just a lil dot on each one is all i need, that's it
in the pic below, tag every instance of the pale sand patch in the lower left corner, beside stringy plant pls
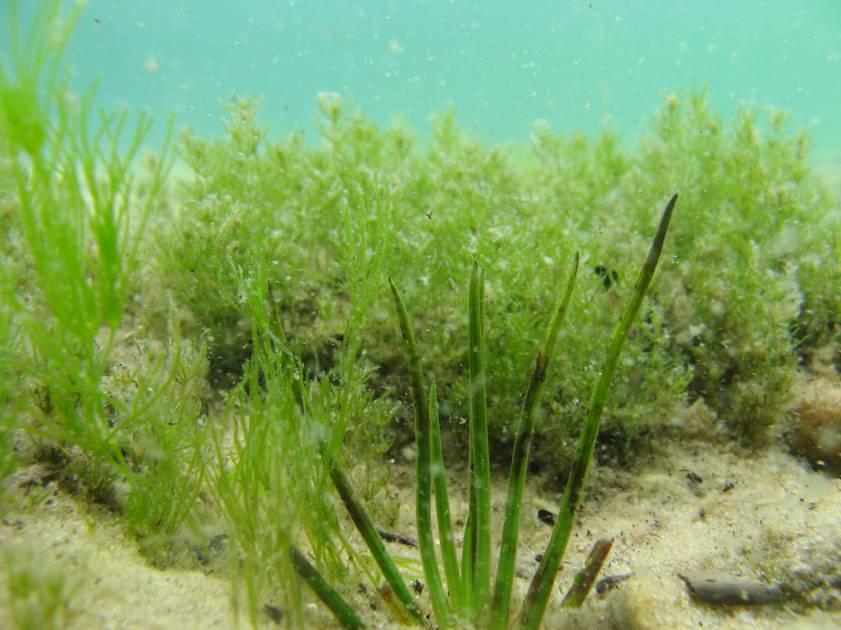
(110, 583)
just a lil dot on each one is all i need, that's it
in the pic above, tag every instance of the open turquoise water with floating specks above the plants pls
(576, 64)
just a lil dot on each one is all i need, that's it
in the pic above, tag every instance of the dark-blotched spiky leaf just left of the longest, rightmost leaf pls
(519, 461)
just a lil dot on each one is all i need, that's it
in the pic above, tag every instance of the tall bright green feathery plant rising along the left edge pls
(82, 219)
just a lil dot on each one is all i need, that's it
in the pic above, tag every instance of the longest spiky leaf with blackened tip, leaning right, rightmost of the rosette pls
(541, 585)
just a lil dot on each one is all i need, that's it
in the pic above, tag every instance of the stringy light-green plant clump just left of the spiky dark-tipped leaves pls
(265, 477)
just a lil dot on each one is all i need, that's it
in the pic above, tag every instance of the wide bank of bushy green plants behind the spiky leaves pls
(730, 331)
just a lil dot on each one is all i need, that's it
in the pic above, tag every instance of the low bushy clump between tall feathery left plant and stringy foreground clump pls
(164, 387)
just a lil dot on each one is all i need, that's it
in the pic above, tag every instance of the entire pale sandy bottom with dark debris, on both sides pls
(689, 506)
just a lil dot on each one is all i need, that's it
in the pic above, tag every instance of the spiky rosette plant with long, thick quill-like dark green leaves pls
(468, 596)
